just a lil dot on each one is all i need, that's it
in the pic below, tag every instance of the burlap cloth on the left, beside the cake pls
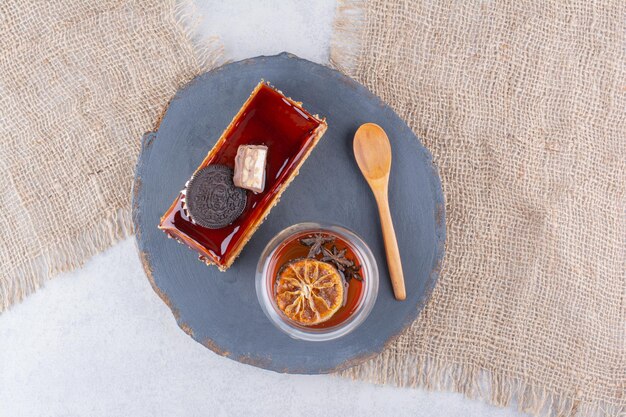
(80, 82)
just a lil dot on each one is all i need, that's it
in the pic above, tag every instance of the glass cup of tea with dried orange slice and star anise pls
(316, 282)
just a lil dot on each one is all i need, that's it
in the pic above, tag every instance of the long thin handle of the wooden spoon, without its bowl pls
(391, 246)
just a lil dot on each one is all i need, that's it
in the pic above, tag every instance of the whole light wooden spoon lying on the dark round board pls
(373, 155)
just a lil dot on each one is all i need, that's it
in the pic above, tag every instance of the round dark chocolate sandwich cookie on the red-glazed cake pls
(212, 199)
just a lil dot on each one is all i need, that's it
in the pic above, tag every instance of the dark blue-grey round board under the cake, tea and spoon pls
(220, 309)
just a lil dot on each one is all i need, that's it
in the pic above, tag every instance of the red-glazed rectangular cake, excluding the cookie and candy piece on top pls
(268, 119)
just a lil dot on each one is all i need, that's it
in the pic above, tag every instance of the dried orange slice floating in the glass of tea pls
(309, 291)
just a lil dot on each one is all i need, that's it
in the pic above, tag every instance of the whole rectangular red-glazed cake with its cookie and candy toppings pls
(213, 215)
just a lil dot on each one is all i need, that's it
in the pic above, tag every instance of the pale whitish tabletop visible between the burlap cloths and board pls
(99, 342)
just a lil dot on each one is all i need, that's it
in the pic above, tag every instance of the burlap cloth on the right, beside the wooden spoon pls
(523, 105)
